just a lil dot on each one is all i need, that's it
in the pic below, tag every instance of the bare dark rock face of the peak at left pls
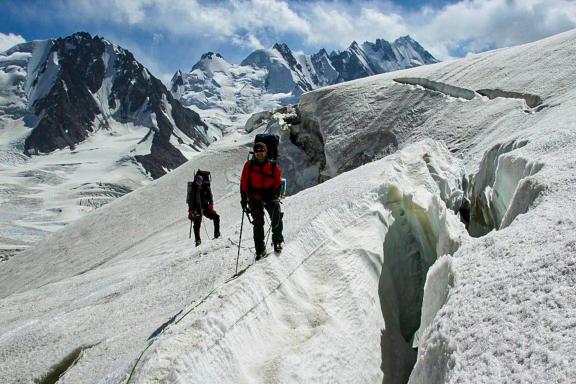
(68, 113)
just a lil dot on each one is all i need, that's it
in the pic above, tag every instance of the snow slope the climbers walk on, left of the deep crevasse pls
(96, 272)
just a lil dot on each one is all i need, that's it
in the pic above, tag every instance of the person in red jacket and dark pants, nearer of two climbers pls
(260, 189)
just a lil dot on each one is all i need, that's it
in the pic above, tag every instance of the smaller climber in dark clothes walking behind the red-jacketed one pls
(201, 203)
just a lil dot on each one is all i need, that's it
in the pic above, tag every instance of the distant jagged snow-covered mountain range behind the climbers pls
(270, 78)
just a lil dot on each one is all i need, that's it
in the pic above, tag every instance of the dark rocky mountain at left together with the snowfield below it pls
(82, 122)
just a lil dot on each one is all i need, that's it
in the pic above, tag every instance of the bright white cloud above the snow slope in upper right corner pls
(477, 25)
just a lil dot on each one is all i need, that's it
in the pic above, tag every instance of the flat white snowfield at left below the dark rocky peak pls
(68, 184)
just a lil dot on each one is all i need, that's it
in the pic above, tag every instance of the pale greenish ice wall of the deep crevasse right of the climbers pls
(424, 228)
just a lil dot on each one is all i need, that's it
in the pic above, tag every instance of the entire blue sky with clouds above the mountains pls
(166, 35)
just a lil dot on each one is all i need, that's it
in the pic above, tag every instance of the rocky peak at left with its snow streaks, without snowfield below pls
(72, 87)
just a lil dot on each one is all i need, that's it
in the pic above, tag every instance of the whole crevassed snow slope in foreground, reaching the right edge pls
(376, 258)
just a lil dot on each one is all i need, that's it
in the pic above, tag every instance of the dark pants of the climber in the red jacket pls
(257, 209)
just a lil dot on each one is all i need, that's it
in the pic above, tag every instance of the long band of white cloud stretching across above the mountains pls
(458, 28)
